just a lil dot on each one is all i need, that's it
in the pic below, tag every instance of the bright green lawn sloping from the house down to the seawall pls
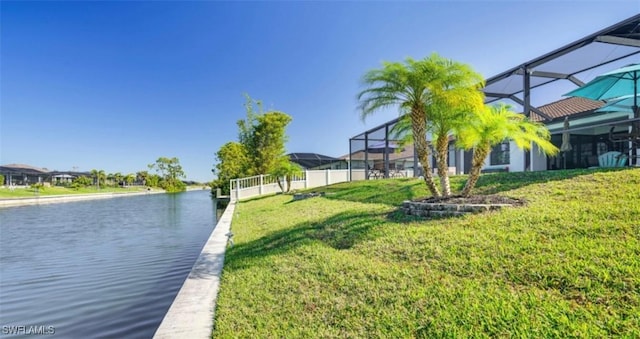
(350, 265)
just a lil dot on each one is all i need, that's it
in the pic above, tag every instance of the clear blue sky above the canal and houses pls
(115, 85)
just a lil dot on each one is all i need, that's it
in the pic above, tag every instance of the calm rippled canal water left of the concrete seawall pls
(99, 268)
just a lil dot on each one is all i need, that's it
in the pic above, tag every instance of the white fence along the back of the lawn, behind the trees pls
(267, 184)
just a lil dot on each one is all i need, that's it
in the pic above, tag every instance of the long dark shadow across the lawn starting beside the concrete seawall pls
(340, 231)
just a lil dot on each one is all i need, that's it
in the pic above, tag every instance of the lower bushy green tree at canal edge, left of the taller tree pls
(232, 163)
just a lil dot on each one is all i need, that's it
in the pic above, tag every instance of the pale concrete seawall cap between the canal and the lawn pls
(191, 313)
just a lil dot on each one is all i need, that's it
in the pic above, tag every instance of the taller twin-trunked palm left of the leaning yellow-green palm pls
(429, 93)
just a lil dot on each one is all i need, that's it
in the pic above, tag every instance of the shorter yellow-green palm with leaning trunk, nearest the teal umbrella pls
(493, 125)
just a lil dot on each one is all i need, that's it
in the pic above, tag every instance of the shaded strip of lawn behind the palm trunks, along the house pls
(394, 191)
